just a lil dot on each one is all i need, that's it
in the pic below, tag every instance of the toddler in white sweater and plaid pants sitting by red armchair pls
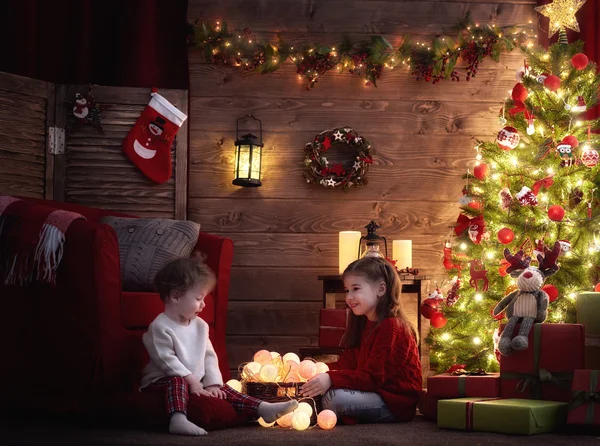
(183, 362)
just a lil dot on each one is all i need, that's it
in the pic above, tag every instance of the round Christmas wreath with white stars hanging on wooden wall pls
(318, 169)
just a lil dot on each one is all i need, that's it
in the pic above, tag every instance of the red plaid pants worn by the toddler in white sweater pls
(177, 396)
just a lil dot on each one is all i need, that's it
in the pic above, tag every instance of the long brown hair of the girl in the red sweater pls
(375, 270)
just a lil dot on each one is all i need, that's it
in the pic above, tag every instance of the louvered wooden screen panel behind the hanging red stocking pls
(95, 171)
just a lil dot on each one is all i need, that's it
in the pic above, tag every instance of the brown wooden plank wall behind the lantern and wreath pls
(285, 232)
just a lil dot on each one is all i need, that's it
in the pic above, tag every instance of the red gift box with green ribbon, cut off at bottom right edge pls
(585, 406)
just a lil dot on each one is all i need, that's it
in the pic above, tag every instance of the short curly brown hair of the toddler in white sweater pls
(182, 274)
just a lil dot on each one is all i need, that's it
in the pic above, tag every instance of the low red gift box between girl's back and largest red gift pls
(448, 386)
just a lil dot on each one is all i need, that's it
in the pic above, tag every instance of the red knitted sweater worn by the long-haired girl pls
(387, 362)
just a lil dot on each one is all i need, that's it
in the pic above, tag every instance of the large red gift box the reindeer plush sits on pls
(545, 369)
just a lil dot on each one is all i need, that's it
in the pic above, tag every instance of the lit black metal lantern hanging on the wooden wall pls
(248, 157)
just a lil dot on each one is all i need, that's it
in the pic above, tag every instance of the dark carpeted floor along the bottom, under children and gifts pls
(419, 432)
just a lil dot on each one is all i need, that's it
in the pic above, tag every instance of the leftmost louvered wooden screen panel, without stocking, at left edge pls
(23, 108)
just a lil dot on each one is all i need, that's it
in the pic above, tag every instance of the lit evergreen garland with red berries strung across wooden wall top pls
(367, 58)
